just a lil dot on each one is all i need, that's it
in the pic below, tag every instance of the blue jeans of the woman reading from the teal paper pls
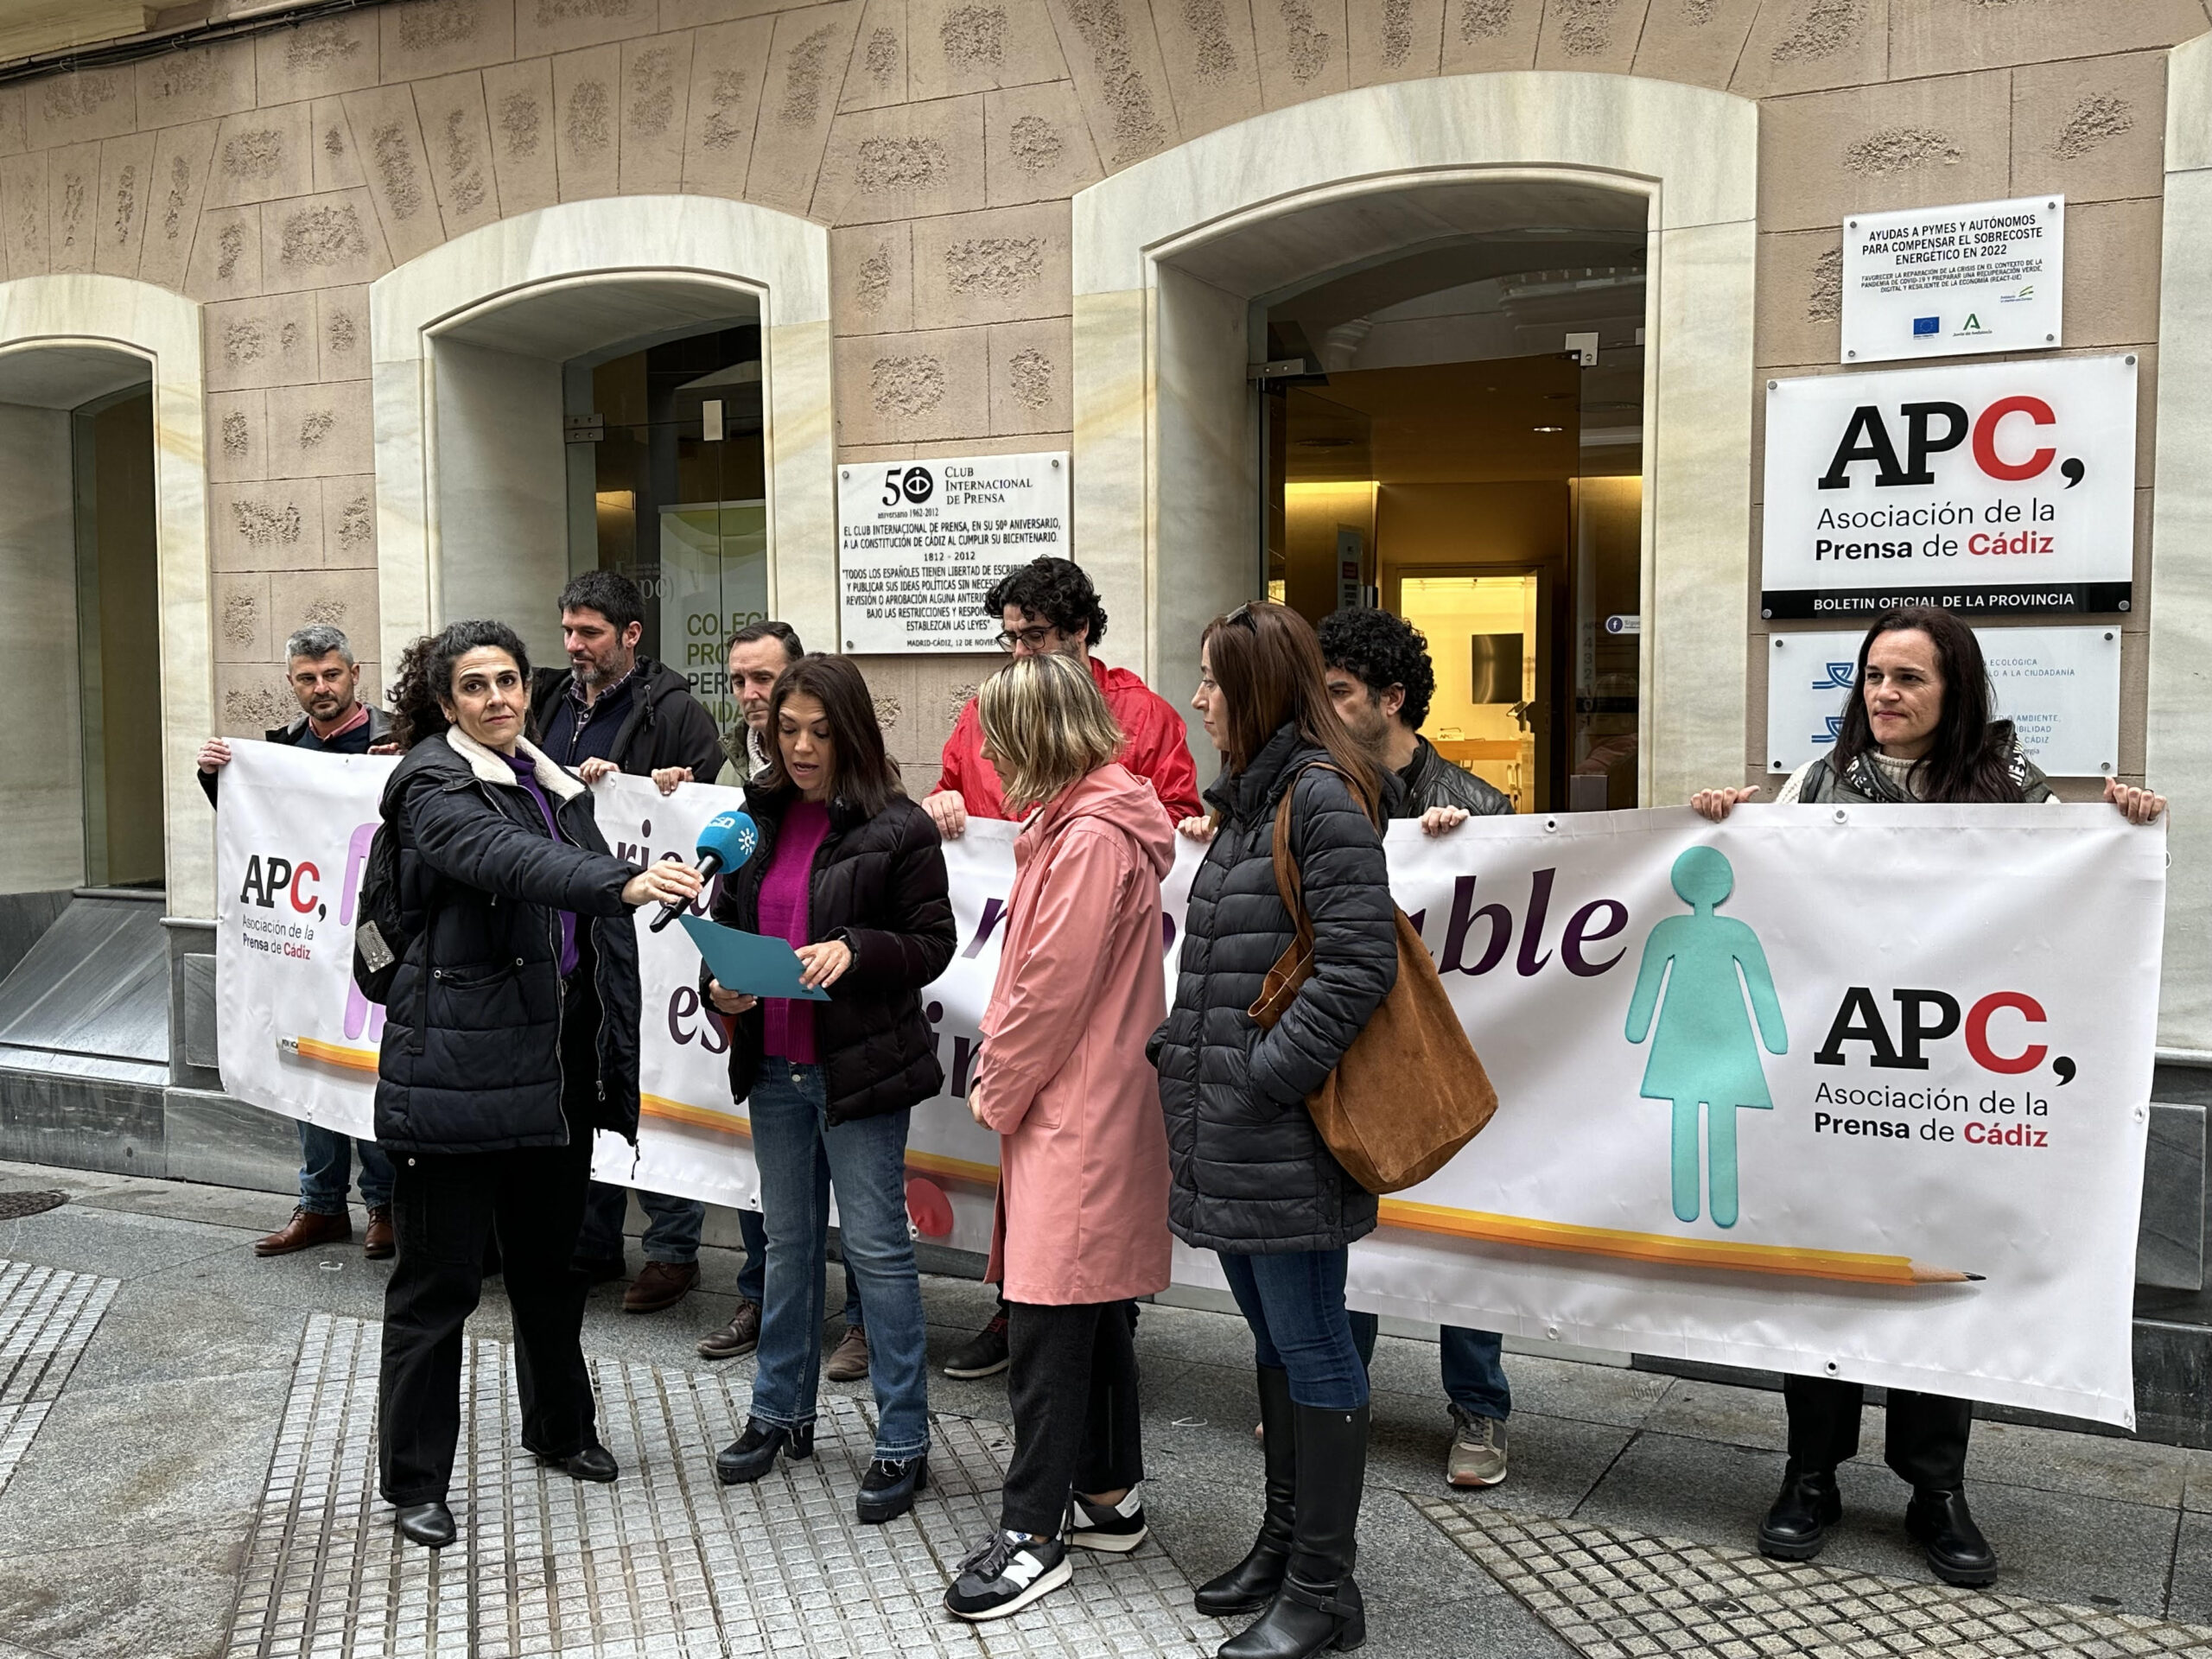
(802, 1160)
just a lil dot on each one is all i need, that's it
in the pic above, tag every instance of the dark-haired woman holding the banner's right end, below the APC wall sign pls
(1917, 727)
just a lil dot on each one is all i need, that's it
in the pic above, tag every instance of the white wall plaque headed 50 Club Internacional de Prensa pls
(921, 543)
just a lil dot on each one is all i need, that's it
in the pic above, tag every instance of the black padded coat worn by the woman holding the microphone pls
(472, 1056)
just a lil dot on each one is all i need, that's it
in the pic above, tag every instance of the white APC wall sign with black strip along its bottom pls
(1994, 488)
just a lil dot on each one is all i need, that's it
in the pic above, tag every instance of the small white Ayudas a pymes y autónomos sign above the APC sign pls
(1945, 282)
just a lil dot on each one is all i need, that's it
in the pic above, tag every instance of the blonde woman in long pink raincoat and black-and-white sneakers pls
(1083, 1209)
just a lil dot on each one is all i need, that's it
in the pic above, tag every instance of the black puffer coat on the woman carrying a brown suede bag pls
(1251, 1173)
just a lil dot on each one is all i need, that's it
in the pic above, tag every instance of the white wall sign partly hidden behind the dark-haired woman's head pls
(2060, 689)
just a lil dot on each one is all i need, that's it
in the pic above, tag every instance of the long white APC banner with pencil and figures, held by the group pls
(1850, 1092)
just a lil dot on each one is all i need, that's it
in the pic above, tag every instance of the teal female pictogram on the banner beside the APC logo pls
(1704, 1052)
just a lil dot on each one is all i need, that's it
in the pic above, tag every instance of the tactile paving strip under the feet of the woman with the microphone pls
(662, 1563)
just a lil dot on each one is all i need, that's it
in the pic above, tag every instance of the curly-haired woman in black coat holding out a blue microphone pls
(510, 1039)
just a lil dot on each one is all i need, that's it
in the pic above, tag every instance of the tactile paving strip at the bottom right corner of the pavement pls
(1618, 1596)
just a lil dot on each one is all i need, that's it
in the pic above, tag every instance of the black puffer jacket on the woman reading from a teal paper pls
(879, 886)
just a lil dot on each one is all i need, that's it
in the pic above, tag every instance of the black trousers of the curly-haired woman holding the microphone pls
(444, 1213)
